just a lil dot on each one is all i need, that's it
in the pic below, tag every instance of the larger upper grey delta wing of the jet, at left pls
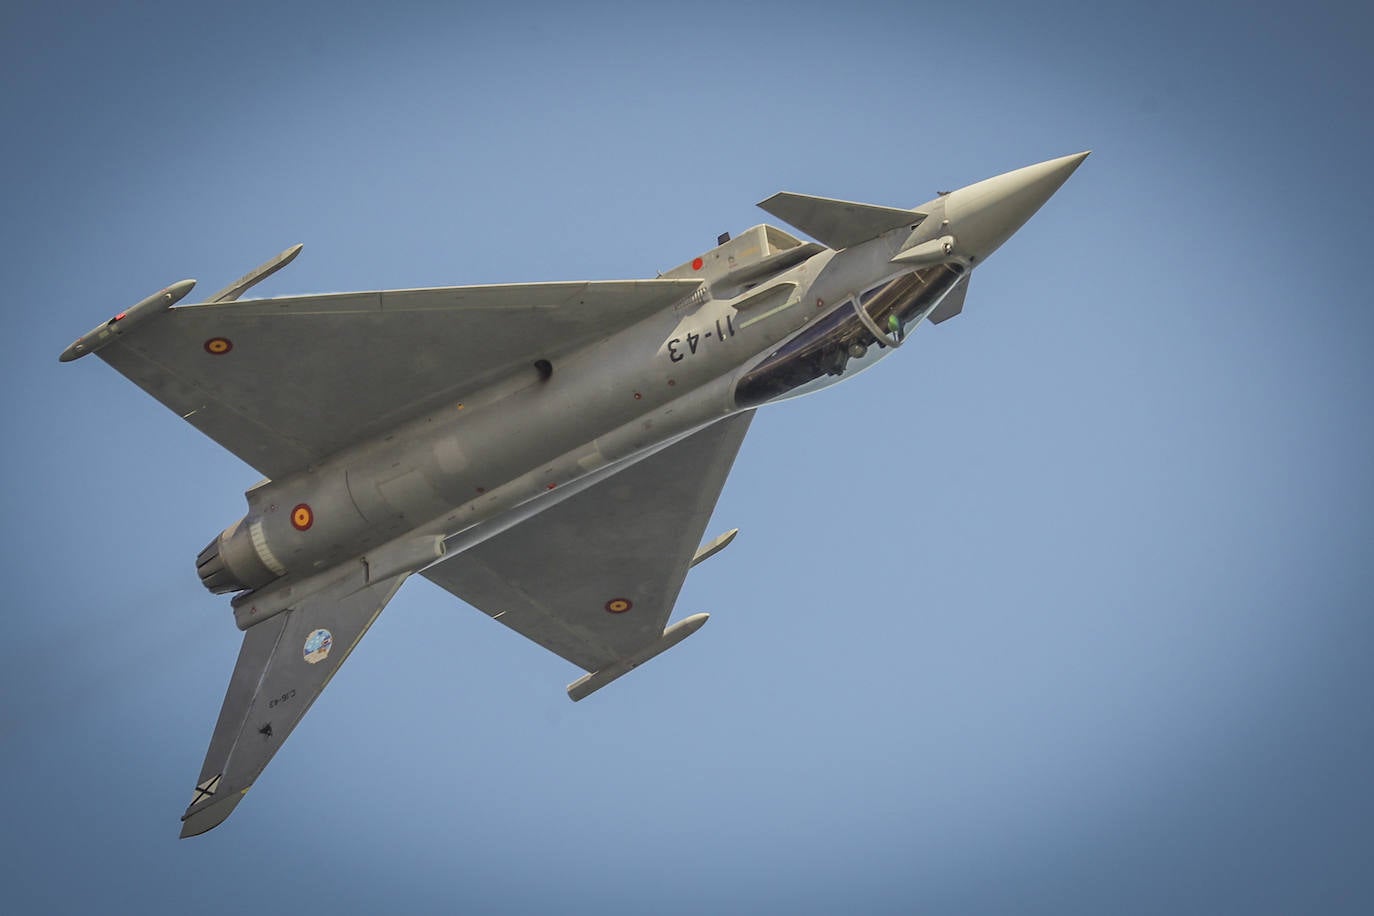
(284, 384)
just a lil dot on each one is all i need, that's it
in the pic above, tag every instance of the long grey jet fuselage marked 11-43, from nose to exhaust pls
(530, 440)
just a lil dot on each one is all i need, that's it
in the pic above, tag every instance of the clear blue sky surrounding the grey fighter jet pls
(1064, 610)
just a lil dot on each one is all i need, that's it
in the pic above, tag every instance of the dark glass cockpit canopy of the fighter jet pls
(846, 343)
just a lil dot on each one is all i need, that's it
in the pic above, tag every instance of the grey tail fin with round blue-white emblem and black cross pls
(285, 664)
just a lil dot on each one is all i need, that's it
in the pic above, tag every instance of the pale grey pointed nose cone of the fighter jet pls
(986, 215)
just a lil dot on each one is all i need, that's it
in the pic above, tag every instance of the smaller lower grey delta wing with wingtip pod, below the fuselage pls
(596, 577)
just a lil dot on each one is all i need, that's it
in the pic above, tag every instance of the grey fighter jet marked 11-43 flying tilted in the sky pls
(548, 453)
